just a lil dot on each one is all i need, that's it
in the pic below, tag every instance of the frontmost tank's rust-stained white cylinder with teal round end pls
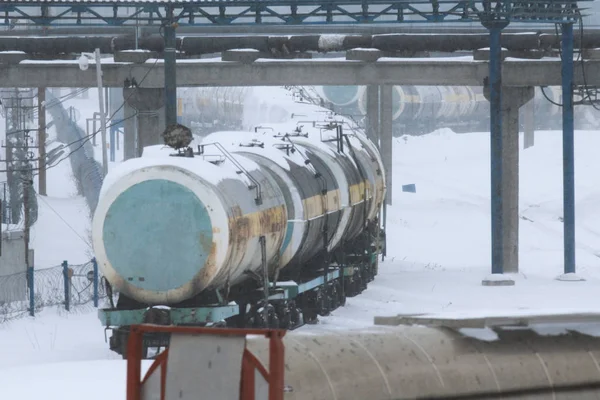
(168, 227)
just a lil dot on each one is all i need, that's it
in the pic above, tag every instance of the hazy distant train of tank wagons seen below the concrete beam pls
(416, 110)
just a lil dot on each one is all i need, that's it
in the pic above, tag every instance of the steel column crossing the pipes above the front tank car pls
(170, 71)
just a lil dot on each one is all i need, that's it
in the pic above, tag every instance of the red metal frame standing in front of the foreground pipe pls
(250, 363)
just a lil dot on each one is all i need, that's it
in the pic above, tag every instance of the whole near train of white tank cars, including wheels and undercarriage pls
(267, 228)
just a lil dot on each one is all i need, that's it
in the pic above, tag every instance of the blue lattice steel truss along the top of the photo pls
(279, 12)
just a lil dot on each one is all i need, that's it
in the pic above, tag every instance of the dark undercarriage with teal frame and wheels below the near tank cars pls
(334, 276)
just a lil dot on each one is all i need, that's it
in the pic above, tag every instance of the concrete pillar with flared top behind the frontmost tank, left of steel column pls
(147, 102)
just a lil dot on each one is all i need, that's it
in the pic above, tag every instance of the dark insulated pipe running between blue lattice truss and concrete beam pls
(282, 45)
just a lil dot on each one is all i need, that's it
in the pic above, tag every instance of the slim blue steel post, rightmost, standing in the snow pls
(568, 149)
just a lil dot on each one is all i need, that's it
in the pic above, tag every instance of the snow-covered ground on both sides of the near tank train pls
(438, 253)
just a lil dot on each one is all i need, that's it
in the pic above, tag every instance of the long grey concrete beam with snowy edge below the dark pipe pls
(459, 72)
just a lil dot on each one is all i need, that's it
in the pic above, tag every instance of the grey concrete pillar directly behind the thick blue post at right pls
(512, 99)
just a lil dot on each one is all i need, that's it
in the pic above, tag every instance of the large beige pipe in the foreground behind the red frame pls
(418, 362)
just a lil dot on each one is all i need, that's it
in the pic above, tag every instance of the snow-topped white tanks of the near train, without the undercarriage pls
(167, 228)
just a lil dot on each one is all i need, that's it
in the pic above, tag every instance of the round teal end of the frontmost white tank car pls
(157, 235)
